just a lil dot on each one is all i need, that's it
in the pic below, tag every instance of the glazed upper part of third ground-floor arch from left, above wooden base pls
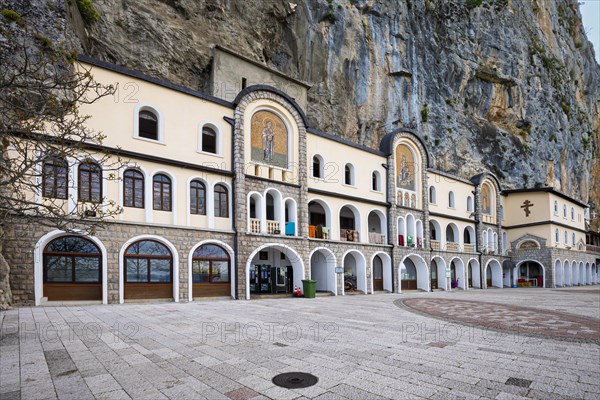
(210, 264)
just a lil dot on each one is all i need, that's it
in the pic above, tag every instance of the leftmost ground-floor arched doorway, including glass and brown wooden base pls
(72, 269)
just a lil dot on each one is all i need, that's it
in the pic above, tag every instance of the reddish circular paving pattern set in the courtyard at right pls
(501, 317)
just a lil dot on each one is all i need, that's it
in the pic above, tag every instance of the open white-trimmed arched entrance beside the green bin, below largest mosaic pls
(273, 269)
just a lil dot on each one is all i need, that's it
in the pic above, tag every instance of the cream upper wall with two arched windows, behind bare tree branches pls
(181, 117)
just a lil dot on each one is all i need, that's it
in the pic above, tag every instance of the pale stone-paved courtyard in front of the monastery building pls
(359, 347)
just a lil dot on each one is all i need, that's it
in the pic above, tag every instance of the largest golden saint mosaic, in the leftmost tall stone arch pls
(269, 139)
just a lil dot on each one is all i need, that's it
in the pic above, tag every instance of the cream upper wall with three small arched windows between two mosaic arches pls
(335, 156)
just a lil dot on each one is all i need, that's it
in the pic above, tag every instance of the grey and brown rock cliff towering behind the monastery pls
(507, 85)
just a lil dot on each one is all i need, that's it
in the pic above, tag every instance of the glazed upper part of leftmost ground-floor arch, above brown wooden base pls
(72, 259)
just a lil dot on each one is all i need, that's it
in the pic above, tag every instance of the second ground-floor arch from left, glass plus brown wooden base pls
(148, 271)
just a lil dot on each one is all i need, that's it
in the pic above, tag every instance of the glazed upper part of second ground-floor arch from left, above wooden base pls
(148, 261)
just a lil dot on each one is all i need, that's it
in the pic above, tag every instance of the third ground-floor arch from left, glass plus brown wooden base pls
(211, 271)
